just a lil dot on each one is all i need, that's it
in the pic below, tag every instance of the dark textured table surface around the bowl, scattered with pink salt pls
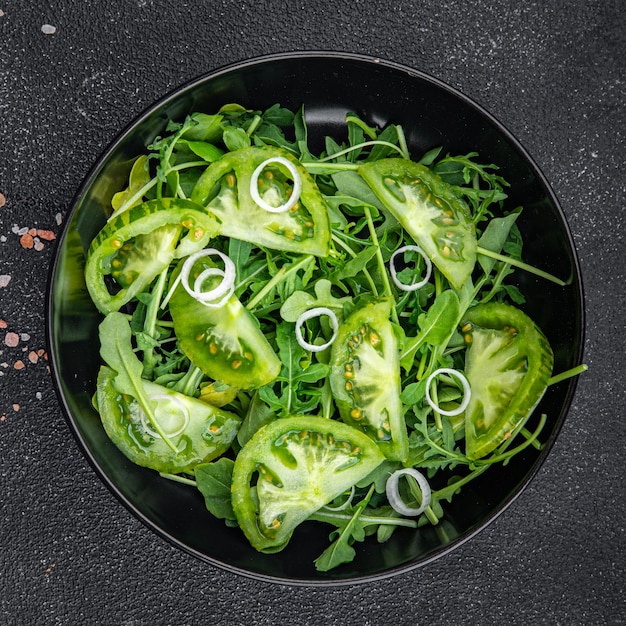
(74, 72)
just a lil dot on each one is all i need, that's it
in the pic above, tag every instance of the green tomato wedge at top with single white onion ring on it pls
(224, 188)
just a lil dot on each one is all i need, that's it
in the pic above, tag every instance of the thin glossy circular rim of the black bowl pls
(267, 59)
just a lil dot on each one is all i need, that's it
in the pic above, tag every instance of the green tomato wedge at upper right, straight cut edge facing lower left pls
(430, 211)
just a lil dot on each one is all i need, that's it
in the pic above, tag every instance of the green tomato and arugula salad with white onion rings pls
(314, 338)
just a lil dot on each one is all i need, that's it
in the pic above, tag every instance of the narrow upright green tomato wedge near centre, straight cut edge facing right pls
(365, 378)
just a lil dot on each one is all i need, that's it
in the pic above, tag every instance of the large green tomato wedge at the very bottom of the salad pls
(292, 467)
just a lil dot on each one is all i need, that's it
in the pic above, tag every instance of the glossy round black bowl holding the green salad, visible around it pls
(329, 85)
